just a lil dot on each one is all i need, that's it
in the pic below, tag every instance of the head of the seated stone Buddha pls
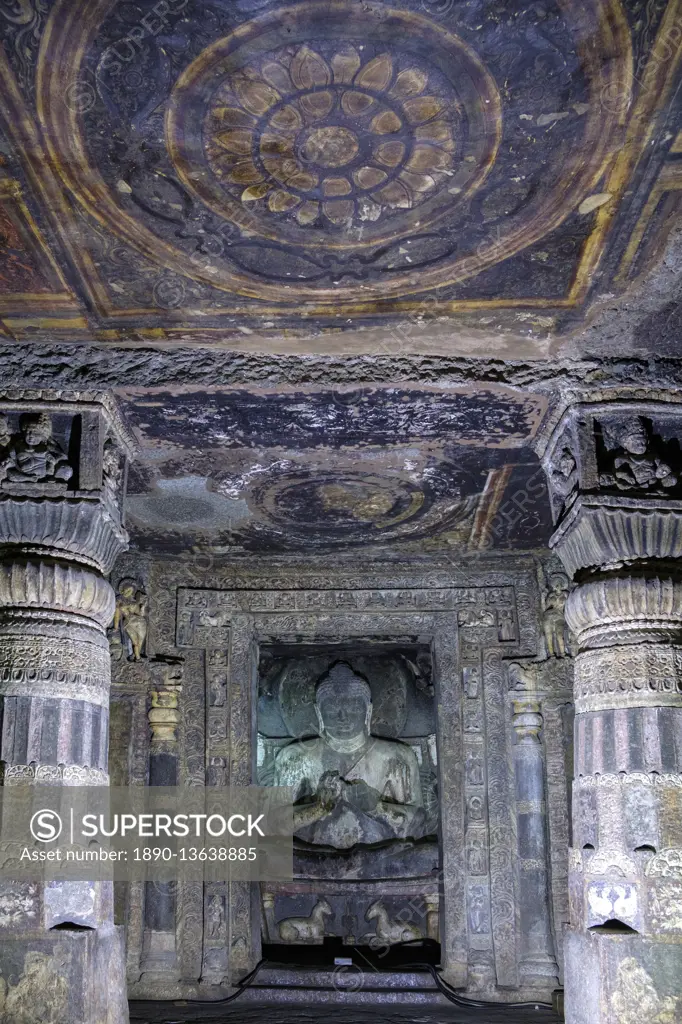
(344, 705)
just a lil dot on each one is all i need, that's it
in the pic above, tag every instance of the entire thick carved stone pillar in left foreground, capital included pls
(63, 467)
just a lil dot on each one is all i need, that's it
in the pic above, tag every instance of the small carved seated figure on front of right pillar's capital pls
(632, 458)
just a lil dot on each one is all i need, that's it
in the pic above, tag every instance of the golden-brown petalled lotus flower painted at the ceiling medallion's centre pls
(342, 142)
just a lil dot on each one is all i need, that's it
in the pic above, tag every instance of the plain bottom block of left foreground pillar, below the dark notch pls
(67, 976)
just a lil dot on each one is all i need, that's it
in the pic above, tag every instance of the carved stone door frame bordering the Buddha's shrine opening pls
(472, 628)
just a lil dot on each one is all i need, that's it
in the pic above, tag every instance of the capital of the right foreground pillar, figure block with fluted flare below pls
(615, 476)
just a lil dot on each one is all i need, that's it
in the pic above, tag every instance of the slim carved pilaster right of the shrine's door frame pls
(538, 964)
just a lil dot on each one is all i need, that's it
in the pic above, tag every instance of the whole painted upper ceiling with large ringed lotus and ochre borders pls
(191, 172)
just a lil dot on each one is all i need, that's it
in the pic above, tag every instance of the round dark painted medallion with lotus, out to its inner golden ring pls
(330, 137)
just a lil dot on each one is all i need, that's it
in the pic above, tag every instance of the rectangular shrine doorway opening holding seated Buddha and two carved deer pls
(367, 860)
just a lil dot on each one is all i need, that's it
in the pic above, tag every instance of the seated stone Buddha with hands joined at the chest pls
(350, 787)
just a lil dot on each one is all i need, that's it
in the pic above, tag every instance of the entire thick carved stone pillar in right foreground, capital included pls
(614, 472)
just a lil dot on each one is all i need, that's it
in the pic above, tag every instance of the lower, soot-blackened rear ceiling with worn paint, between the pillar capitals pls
(409, 470)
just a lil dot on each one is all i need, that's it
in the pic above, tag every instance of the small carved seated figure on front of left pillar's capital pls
(32, 455)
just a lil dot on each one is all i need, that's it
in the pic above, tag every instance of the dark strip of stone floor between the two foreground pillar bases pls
(236, 1014)
